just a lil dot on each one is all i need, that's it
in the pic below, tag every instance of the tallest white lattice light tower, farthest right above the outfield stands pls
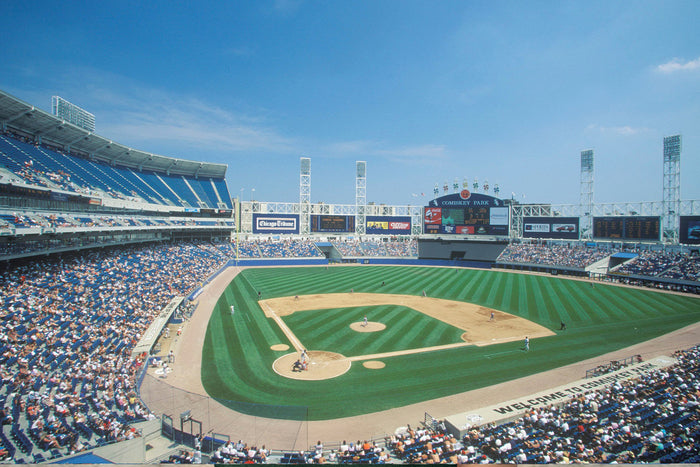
(672, 188)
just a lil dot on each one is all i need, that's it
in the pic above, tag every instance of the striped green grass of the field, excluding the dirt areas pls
(237, 359)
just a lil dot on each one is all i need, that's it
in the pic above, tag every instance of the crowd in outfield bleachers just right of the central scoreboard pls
(572, 256)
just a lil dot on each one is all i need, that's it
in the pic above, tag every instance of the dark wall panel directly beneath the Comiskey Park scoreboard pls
(460, 250)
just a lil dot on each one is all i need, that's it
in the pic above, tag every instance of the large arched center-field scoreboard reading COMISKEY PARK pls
(466, 213)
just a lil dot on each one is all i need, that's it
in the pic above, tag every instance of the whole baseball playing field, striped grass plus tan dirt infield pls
(428, 333)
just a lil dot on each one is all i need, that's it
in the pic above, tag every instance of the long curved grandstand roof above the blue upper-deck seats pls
(18, 115)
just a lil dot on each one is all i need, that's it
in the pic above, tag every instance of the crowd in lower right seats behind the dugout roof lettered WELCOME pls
(652, 419)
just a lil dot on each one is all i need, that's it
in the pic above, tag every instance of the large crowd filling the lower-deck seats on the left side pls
(67, 327)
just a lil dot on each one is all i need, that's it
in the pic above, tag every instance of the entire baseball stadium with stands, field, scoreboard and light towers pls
(147, 316)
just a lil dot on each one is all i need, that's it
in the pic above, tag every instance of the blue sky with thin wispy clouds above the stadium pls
(424, 91)
